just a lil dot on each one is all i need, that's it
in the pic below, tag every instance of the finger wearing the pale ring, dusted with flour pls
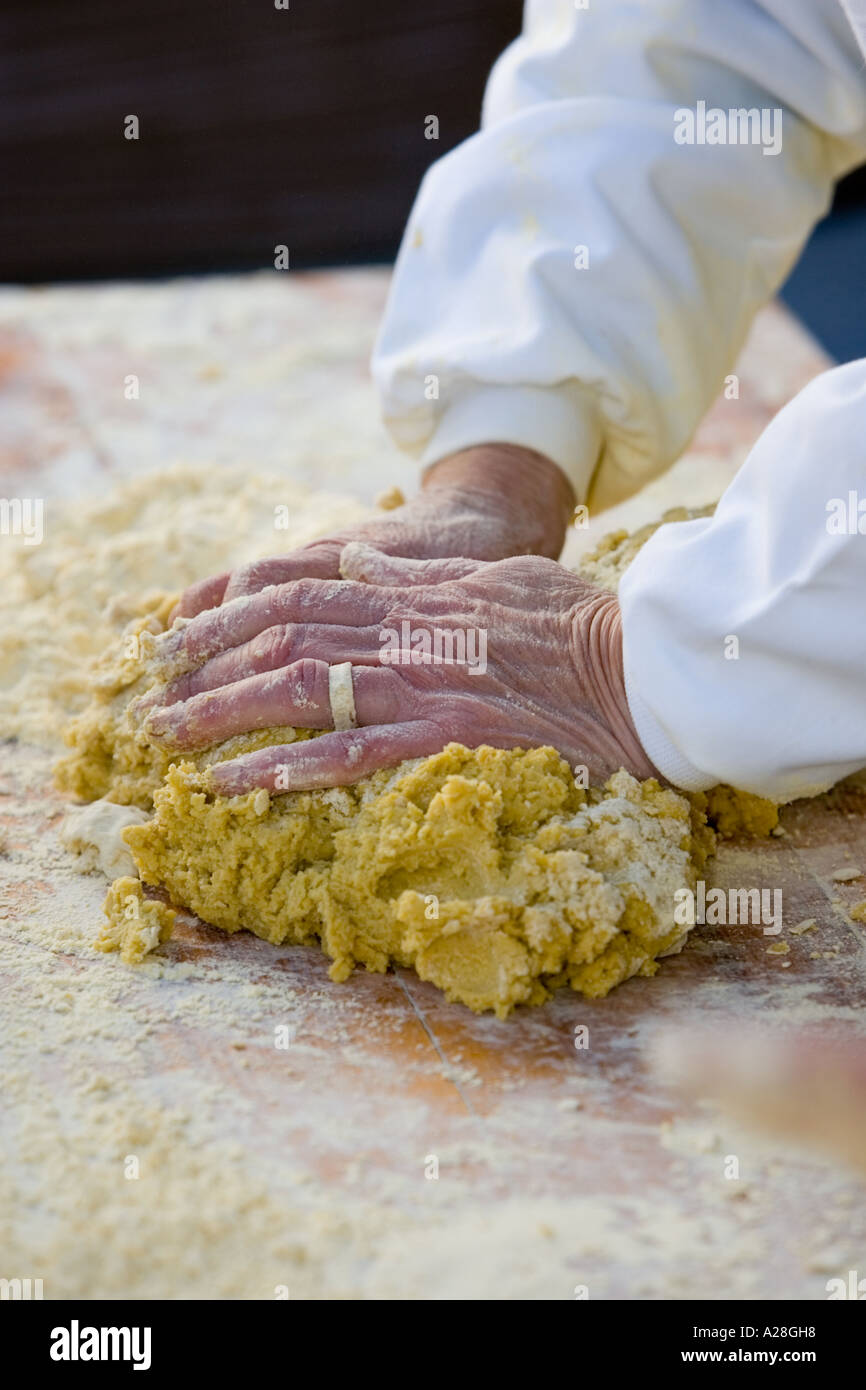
(295, 696)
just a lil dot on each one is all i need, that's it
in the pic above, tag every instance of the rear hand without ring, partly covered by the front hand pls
(487, 502)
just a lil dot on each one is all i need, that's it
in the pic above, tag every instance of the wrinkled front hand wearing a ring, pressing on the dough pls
(553, 672)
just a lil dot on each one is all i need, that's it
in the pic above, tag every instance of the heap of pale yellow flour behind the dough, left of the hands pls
(105, 562)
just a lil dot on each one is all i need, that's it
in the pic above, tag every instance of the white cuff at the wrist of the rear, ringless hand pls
(562, 425)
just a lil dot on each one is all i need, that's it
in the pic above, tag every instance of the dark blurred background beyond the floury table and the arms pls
(263, 127)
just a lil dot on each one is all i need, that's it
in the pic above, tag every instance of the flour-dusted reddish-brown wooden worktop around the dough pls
(313, 1167)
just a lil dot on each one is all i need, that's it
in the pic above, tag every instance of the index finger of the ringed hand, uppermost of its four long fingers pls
(334, 603)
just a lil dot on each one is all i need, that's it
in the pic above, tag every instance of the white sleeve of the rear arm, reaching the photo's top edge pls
(501, 329)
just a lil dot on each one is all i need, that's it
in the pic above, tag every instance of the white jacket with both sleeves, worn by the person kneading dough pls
(579, 279)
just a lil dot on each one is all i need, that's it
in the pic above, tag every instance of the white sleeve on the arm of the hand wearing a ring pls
(744, 635)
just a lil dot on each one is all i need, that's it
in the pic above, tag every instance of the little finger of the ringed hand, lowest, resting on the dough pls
(332, 761)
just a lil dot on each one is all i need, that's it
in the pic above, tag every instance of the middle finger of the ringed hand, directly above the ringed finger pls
(270, 651)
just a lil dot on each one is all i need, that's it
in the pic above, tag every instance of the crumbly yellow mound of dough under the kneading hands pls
(491, 874)
